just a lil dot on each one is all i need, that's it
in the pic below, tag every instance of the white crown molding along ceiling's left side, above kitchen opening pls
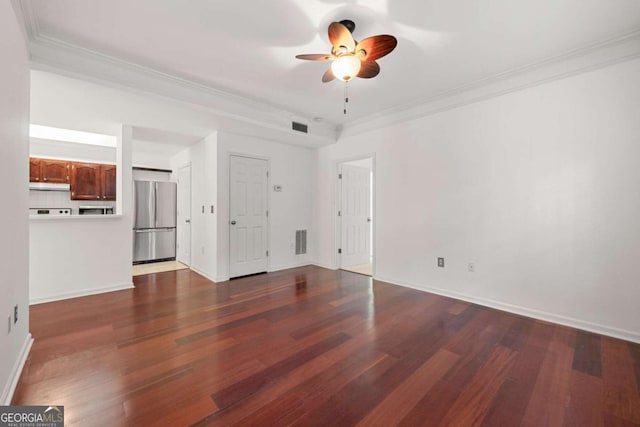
(232, 111)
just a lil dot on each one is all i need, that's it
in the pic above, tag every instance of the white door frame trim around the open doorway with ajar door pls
(338, 207)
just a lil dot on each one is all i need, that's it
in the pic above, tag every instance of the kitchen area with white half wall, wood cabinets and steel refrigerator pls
(95, 220)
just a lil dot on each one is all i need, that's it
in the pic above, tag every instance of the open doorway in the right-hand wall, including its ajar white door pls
(356, 215)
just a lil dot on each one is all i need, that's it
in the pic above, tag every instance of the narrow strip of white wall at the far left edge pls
(14, 152)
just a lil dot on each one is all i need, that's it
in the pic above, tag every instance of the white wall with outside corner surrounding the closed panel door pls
(290, 210)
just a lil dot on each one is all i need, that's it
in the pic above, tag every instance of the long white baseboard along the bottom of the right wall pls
(524, 311)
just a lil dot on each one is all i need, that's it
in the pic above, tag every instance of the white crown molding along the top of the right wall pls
(598, 55)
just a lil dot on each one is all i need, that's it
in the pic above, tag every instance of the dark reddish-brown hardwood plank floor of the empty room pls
(310, 346)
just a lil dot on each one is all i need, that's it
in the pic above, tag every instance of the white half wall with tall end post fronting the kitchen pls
(85, 255)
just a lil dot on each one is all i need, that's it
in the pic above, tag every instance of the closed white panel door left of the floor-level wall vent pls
(248, 216)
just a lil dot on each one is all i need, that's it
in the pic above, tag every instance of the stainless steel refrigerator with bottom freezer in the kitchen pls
(154, 226)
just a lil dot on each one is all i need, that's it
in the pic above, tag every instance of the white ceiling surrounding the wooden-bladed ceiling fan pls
(249, 48)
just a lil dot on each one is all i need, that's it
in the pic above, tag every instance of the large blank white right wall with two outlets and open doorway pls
(539, 188)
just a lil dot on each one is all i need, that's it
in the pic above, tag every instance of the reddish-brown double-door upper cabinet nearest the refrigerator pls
(90, 181)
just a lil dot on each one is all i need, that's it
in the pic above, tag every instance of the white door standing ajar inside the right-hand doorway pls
(355, 215)
